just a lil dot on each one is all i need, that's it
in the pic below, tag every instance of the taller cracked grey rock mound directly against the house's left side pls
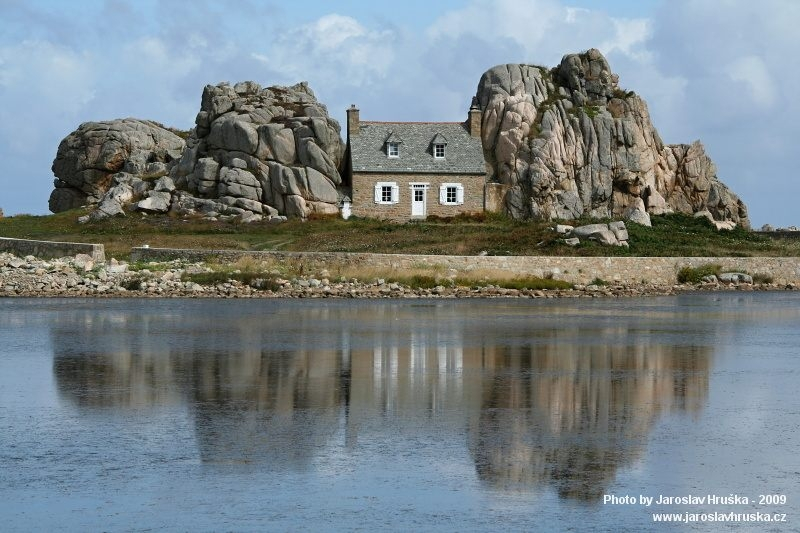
(264, 150)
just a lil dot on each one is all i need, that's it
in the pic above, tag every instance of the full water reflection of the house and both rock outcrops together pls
(536, 408)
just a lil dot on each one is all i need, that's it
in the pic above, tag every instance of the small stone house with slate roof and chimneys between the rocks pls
(412, 170)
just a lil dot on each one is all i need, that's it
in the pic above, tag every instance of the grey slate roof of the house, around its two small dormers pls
(463, 155)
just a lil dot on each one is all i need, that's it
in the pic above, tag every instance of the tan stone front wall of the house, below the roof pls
(364, 195)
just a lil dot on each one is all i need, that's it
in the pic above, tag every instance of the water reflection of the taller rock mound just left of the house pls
(267, 408)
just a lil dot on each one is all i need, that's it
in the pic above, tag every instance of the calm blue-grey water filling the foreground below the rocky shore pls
(474, 415)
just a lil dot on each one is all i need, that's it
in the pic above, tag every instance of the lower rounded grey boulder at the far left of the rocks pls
(90, 156)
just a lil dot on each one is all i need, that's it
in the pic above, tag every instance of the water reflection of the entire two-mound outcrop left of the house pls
(250, 404)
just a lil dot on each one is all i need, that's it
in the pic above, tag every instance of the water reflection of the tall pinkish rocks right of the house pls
(570, 415)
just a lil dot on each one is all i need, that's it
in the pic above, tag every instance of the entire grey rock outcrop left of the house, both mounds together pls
(254, 153)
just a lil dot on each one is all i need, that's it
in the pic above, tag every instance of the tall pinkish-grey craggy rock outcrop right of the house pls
(569, 142)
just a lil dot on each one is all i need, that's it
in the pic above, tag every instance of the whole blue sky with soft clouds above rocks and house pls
(726, 72)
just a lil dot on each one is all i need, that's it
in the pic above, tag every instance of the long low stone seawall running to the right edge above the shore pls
(583, 270)
